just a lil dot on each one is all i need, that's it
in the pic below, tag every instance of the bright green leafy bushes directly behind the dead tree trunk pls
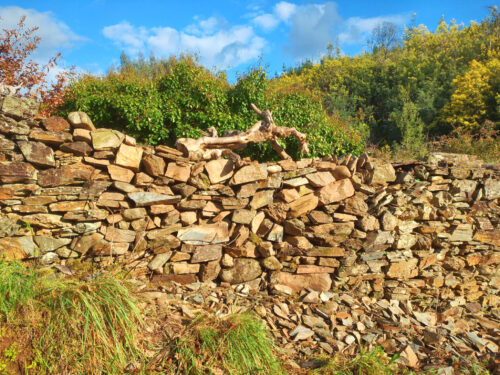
(159, 101)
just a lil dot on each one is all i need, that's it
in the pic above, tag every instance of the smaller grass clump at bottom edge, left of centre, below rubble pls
(237, 345)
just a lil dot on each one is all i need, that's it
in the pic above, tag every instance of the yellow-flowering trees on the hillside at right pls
(427, 84)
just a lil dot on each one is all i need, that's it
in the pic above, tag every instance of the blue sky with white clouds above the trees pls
(230, 35)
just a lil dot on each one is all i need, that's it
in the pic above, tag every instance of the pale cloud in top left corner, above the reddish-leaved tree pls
(55, 35)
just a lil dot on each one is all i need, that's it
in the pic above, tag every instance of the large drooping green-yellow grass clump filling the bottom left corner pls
(88, 326)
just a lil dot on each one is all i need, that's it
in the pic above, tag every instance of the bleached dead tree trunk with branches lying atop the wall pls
(213, 146)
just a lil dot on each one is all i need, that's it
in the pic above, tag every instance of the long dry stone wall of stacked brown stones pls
(70, 191)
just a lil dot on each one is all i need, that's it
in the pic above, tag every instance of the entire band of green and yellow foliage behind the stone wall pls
(412, 86)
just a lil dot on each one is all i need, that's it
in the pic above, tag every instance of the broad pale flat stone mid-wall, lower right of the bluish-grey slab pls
(204, 234)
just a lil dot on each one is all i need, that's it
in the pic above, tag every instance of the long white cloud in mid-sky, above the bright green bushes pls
(217, 44)
